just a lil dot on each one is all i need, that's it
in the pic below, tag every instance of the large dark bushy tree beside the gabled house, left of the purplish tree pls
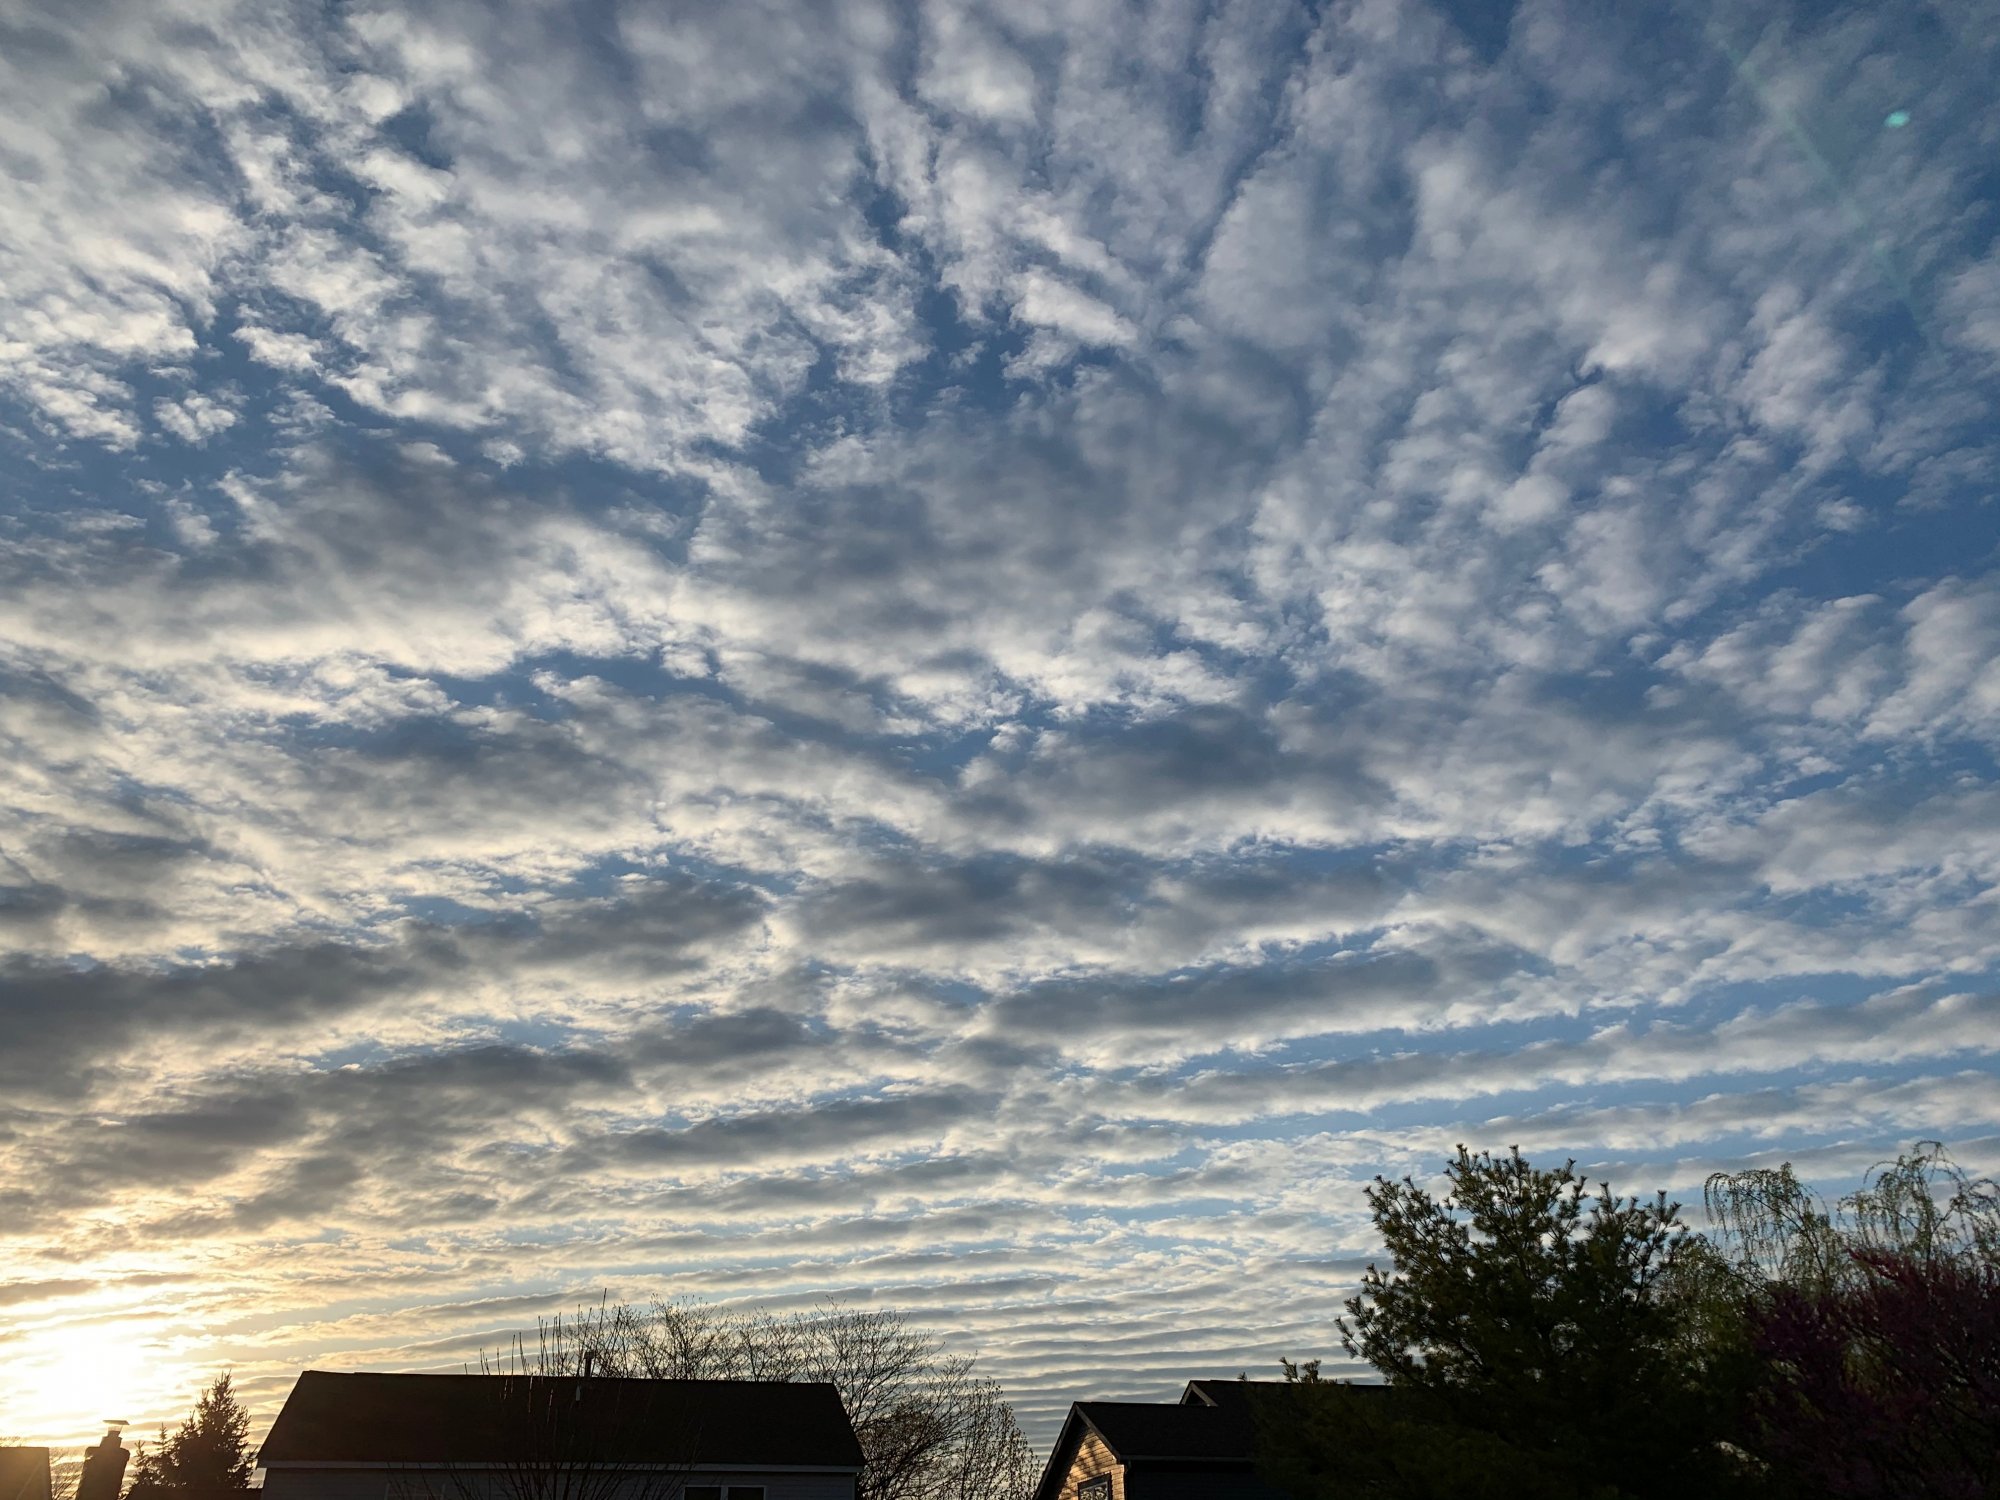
(1533, 1343)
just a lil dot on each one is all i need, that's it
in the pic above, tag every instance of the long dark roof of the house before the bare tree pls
(465, 1419)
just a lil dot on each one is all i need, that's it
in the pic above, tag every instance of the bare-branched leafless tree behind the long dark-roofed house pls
(931, 1427)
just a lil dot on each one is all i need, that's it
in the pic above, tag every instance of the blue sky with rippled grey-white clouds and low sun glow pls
(963, 657)
